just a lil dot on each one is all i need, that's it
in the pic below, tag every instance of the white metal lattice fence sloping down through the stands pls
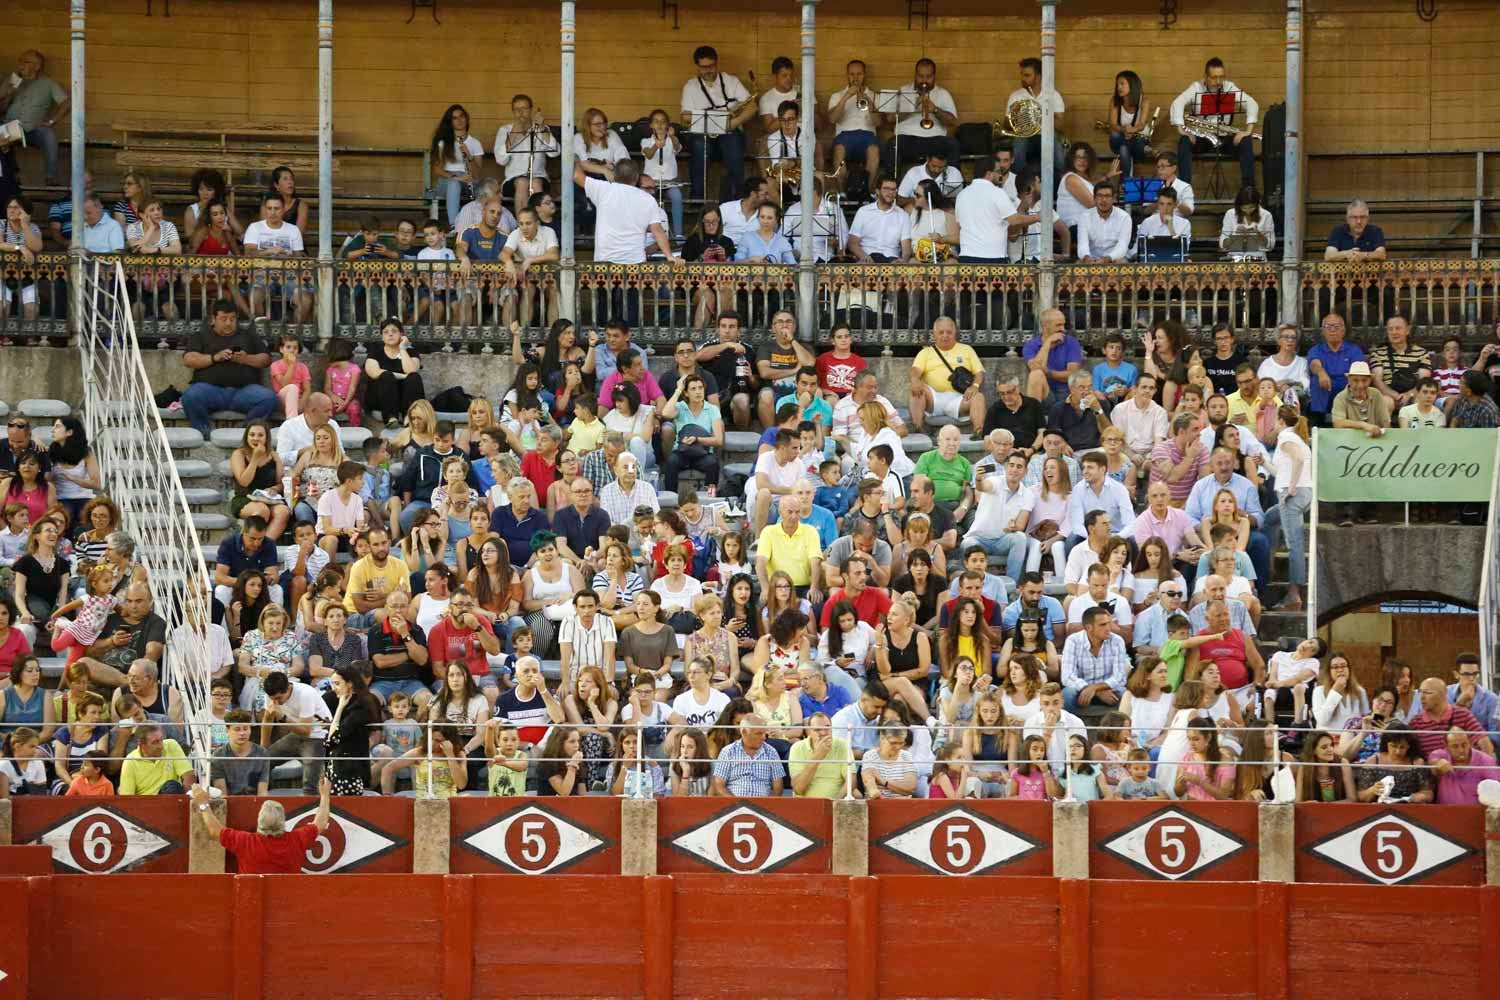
(139, 473)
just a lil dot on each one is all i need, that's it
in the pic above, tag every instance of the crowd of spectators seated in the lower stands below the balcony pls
(508, 605)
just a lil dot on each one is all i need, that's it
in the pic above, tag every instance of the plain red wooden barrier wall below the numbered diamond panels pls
(287, 938)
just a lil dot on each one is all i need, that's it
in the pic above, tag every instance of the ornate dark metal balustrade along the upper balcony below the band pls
(887, 305)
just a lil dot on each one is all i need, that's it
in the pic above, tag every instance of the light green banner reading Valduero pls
(1406, 466)
